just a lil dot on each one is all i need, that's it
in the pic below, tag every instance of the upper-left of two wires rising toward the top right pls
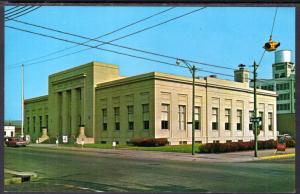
(101, 36)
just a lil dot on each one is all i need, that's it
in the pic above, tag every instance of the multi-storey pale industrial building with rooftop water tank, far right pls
(283, 82)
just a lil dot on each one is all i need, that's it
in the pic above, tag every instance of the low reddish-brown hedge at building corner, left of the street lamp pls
(149, 142)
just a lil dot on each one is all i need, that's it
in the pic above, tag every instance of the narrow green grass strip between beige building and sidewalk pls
(167, 148)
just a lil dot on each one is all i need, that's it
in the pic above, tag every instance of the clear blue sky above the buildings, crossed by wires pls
(225, 36)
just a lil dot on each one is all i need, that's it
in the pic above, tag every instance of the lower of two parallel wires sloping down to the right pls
(112, 51)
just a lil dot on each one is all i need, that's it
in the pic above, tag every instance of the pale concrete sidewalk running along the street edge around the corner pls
(244, 156)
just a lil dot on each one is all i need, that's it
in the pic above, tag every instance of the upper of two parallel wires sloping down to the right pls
(120, 46)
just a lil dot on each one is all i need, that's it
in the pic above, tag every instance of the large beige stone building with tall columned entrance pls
(92, 102)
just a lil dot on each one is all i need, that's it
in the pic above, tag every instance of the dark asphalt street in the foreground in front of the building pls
(63, 170)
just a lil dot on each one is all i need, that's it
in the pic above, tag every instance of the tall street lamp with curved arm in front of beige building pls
(192, 69)
